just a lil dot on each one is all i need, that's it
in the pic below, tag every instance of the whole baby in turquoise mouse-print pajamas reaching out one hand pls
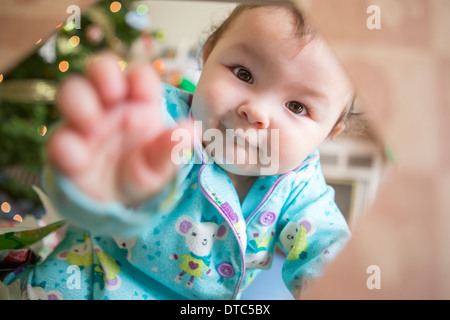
(201, 228)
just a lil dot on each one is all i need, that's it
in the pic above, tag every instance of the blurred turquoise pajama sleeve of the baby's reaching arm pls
(113, 217)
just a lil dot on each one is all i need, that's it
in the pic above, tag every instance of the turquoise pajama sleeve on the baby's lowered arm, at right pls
(312, 229)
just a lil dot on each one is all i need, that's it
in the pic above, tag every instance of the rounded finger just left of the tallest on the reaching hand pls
(79, 103)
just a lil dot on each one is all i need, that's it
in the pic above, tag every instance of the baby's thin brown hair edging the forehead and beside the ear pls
(303, 30)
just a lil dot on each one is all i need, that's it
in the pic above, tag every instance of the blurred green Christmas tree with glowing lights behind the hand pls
(27, 93)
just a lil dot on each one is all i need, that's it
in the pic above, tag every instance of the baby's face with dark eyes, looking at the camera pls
(260, 83)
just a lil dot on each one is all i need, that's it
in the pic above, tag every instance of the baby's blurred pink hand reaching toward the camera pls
(113, 143)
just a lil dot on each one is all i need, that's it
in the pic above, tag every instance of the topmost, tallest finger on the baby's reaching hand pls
(105, 74)
